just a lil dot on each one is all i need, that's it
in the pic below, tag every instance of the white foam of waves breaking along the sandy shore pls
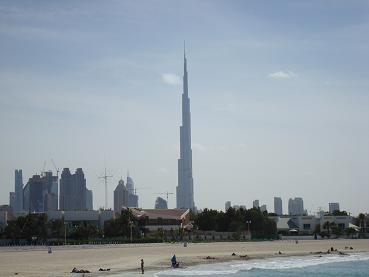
(280, 263)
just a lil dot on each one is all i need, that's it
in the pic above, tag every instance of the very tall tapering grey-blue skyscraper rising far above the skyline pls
(185, 194)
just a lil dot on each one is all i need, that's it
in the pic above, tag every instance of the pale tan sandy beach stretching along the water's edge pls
(35, 261)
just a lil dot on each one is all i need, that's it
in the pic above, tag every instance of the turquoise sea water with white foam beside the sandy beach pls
(325, 265)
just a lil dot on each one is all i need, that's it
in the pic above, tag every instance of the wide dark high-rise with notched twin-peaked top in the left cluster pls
(72, 190)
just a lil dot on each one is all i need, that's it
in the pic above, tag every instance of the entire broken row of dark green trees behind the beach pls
(37, 227)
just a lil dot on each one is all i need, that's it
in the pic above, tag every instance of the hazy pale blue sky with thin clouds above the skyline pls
(279, 96)
